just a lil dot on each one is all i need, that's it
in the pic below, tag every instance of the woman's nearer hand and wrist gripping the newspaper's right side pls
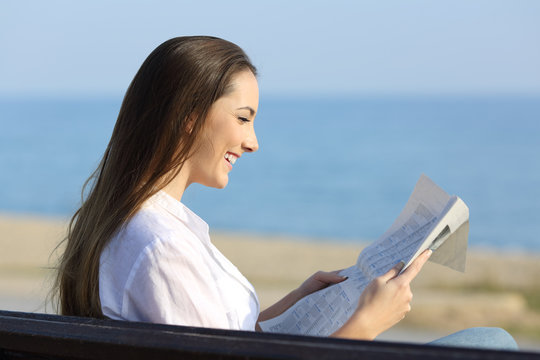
(384, 302)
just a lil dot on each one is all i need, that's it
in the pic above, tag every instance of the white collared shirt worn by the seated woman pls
(161, 267)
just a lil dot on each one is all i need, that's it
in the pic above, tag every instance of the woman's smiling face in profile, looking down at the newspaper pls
(228, 133)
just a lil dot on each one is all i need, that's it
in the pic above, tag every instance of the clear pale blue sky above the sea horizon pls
(95, 47)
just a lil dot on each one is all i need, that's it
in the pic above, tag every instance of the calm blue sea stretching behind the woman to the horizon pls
(328, 168)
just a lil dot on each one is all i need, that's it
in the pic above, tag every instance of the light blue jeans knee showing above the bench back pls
(481, 337)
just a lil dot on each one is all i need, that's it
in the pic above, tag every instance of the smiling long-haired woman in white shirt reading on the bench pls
(135, 252)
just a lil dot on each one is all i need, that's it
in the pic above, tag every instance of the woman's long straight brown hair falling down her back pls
(162, 115)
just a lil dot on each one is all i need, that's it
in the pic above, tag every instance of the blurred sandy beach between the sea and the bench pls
(498, 288)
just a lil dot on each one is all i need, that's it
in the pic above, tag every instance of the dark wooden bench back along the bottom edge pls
(43, 336)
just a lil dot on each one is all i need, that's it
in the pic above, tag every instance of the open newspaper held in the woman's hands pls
(430, 219)
